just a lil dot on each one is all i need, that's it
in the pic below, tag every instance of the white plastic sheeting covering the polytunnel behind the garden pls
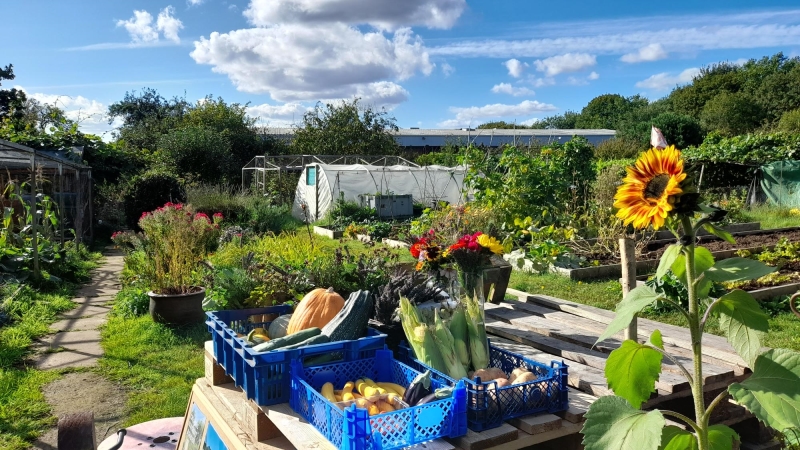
(320, 185)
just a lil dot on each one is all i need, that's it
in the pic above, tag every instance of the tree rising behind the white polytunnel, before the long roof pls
(345, 128)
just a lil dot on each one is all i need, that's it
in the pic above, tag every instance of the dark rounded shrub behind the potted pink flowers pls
(149, 191)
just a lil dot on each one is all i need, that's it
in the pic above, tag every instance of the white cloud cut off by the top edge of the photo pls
(383, 14)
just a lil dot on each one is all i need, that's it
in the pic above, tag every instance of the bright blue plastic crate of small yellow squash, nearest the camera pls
(353, 428)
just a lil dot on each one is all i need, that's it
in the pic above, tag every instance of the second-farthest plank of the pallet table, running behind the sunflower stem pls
(711, 372)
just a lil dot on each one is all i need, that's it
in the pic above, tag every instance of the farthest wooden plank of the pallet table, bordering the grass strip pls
(715, 346)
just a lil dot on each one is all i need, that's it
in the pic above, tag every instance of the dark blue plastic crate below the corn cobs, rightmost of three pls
(489, 406)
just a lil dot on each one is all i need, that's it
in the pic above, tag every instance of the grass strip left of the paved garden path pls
(24, 413)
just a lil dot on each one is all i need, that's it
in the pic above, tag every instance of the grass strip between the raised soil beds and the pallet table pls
(784, 327)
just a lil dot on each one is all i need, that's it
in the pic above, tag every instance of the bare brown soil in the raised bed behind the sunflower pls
(713, 244)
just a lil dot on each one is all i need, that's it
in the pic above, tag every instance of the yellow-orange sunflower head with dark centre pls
(647, 194)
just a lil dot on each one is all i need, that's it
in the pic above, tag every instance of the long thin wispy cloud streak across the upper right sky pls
(691, 33)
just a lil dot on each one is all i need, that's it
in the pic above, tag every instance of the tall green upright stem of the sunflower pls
(696, 336)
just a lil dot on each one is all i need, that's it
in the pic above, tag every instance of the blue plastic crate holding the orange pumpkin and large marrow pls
(265, 377)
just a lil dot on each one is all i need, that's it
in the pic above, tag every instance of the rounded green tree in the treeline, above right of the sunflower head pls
(731, 114)
